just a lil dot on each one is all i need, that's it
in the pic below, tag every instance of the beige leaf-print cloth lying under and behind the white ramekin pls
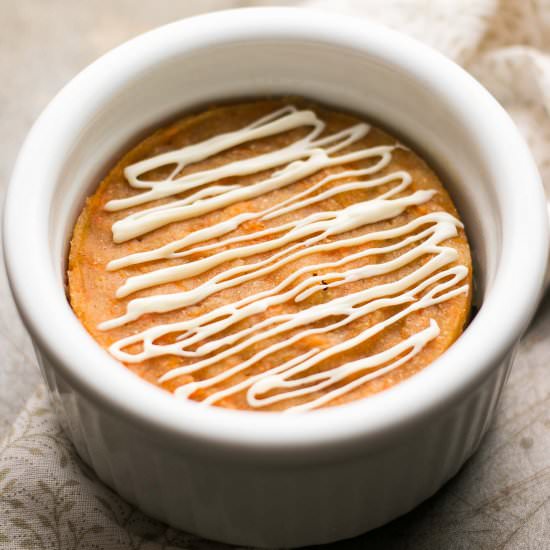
(50, 500)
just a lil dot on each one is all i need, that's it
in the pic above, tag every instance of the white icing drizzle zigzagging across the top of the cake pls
(213, 337)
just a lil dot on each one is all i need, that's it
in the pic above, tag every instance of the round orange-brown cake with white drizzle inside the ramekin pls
(271, 255)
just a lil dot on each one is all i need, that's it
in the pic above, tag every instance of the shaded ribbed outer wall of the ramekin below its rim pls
(274, 505)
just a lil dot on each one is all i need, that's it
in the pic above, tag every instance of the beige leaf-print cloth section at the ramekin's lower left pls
(51, 500)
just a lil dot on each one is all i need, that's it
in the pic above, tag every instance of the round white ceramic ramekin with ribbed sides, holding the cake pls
(271, 479)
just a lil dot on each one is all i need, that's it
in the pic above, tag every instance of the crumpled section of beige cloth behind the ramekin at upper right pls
(505, 44)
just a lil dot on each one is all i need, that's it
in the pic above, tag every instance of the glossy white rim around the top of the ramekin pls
(373, 418)
